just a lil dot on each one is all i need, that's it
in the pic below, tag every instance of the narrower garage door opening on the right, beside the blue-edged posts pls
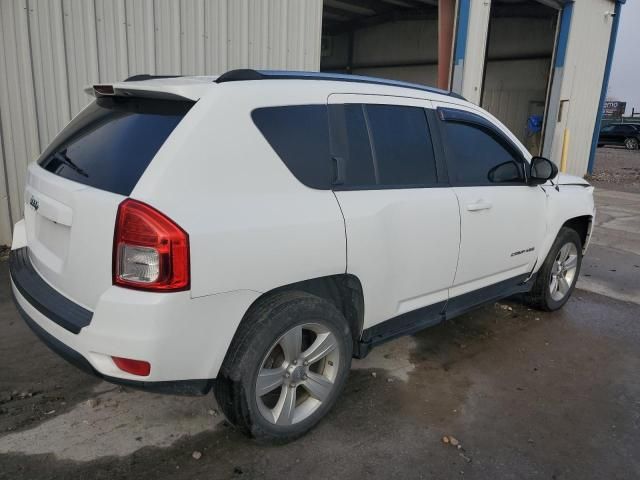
(519, 55)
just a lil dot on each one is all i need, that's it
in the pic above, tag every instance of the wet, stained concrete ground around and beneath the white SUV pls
(527, 394)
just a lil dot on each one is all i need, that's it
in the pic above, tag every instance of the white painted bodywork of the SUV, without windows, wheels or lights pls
(253, 228)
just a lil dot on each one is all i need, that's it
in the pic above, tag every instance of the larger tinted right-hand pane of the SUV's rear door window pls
(403, 154)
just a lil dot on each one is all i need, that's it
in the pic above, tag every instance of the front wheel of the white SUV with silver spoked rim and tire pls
(547, 294)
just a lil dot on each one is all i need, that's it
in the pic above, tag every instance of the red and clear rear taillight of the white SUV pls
(150, 252)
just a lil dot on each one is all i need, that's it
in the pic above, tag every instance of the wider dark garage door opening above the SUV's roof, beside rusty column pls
(396, 39)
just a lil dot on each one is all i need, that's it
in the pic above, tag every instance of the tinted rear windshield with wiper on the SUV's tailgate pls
(111, 143)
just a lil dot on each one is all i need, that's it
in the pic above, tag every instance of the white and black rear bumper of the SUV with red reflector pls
(185, 340)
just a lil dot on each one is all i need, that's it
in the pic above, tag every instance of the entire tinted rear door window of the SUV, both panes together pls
(381, 146)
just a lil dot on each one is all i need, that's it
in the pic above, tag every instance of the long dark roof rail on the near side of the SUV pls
(249, 74)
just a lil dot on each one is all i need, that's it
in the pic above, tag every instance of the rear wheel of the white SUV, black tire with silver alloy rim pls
(265, 345)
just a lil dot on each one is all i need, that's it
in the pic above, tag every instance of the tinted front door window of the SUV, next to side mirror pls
(479, 156)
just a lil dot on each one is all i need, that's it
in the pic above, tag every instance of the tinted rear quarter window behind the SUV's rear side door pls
(299, 134)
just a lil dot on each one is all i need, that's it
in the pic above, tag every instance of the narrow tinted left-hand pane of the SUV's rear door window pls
(350, 144)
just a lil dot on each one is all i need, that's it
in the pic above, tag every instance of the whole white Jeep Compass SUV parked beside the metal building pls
(251, 233)
